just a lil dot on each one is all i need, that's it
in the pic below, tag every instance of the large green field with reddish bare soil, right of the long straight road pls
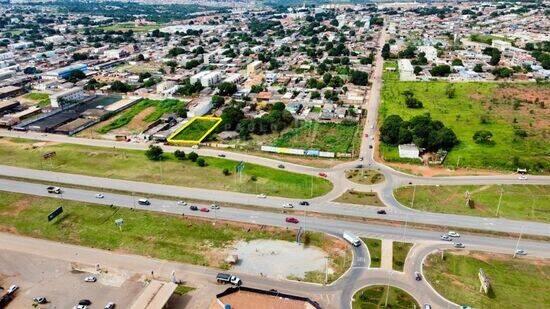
(516, 114)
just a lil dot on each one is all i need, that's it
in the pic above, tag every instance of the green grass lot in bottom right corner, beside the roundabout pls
(515, 283)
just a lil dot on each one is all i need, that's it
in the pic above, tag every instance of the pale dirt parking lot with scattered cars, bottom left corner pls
(62, 283)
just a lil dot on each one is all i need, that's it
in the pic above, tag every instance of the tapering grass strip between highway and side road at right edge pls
(519, 202)
